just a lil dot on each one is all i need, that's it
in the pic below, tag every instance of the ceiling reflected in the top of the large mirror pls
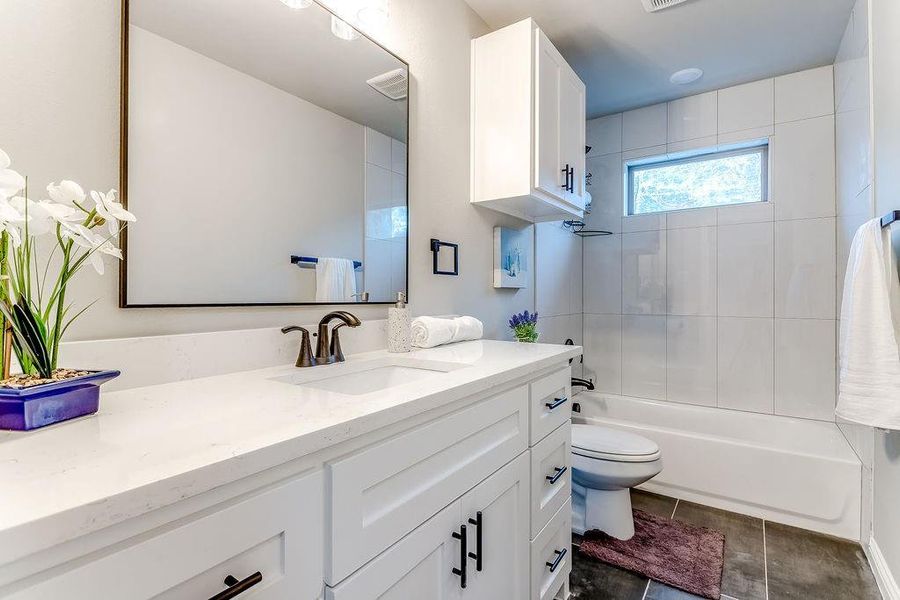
(293, 50)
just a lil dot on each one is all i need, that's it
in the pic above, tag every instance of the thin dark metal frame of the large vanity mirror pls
(123, 184)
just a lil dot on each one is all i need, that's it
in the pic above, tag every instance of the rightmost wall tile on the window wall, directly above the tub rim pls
(805, 368)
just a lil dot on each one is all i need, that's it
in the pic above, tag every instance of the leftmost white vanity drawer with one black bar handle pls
(277, 533)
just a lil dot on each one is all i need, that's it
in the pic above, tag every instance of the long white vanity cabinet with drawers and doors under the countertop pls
(467, 499)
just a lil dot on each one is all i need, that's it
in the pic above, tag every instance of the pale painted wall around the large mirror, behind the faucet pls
(62, 59)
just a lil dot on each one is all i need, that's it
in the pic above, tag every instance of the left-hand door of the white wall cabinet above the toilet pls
(548, 167)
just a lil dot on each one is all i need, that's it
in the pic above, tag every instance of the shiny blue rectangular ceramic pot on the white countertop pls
(29, 408)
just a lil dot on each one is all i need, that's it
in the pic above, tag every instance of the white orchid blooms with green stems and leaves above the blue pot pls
(81, 228)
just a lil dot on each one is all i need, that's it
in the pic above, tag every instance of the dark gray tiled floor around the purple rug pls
(763, 561)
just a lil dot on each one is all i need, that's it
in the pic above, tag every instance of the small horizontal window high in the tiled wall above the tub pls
(704, 179)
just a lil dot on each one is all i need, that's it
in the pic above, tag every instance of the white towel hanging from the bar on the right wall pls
(870, 357)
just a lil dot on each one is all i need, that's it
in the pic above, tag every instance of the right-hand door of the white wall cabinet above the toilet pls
(572, 131)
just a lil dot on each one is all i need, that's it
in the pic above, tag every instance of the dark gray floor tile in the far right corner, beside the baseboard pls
(803, 564)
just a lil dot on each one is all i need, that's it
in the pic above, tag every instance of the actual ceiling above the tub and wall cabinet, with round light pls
(626, 55)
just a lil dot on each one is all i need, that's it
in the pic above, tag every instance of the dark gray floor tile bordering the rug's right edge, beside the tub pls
(744, 574)
